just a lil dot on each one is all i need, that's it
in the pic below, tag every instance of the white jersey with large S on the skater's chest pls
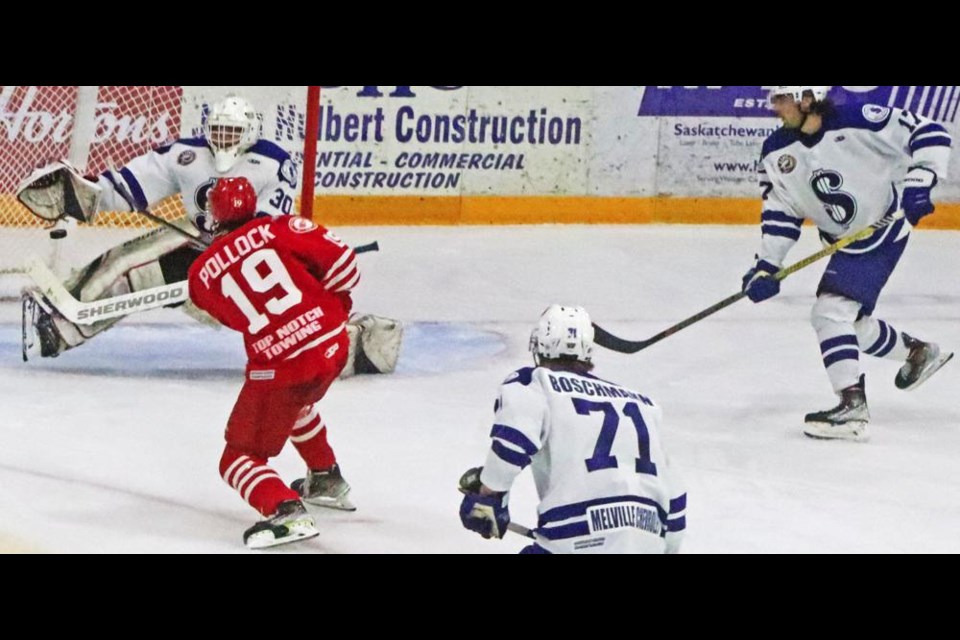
(846, 176)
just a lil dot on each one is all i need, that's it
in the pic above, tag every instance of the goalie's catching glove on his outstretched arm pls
(58, 190)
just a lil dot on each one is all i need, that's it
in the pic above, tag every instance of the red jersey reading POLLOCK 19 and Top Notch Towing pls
(283, 282)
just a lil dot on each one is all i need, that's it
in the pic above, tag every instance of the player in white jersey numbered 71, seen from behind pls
(598, 463)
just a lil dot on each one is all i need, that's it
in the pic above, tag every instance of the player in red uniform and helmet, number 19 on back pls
(285, 284)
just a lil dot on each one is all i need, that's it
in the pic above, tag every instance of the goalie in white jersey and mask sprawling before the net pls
(230, 147)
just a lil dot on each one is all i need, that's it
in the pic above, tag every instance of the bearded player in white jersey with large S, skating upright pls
(844, 168)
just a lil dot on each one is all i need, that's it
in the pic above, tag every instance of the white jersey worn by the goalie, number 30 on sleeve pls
(186, 167)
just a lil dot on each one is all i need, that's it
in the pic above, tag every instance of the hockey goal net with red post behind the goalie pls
(96, 128)
